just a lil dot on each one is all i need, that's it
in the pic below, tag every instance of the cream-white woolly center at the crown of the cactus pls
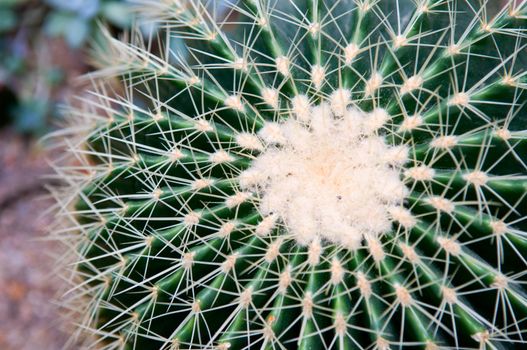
(328, 177)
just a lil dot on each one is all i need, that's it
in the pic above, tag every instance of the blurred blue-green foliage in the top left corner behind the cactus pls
(31, 74)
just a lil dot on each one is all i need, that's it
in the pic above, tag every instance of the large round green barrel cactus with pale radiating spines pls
(303, 174)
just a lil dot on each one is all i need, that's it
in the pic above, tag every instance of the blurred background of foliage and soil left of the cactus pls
(44, 48)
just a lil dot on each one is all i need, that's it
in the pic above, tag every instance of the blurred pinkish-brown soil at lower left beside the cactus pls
(28, 285)
